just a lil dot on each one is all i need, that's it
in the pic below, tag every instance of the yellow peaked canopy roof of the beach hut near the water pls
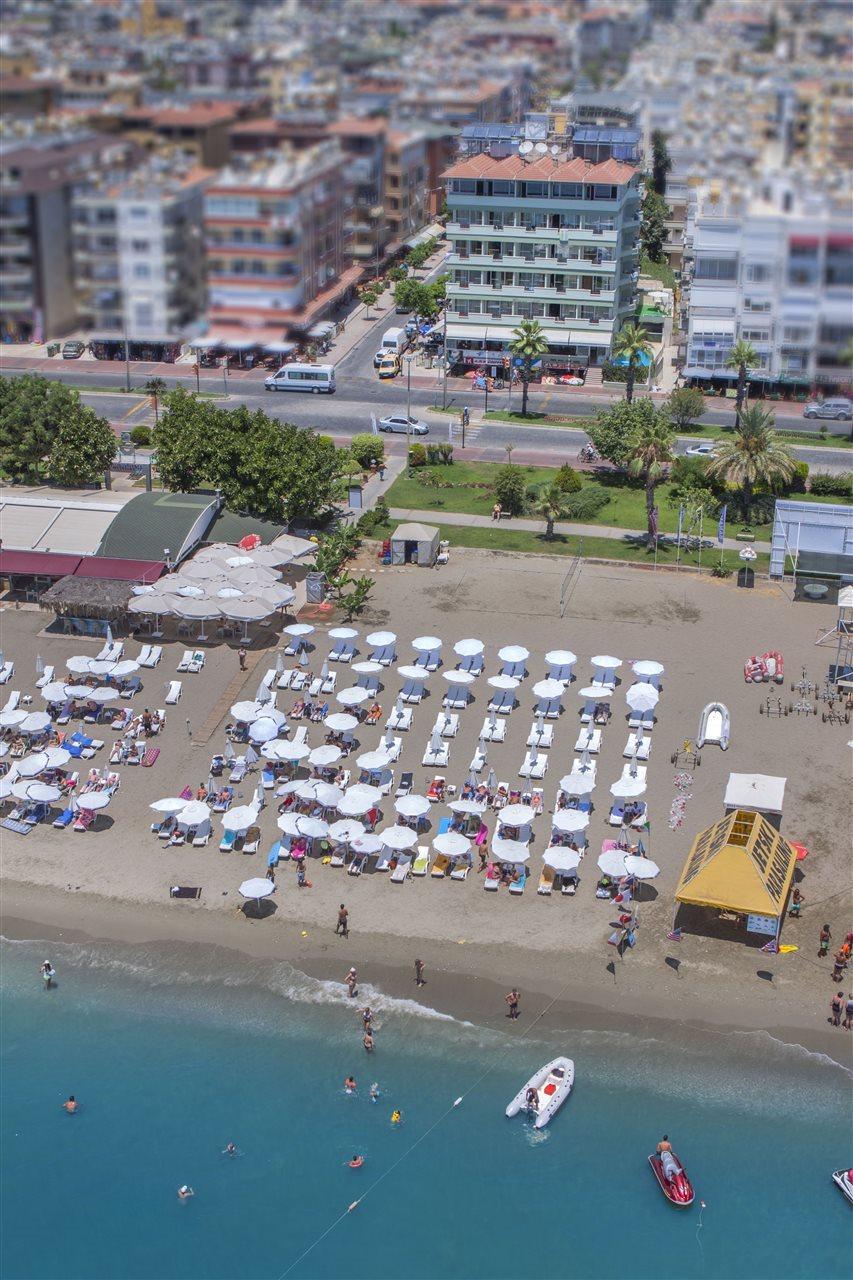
(740, 865)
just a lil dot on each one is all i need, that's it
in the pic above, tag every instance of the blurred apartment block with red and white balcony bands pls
(276, 240)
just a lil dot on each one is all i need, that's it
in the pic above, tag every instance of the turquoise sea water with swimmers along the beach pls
(174, 1053)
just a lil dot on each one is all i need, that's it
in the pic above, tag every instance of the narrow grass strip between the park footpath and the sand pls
(603, 548)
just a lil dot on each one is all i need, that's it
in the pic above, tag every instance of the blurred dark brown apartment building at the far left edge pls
(38, 181)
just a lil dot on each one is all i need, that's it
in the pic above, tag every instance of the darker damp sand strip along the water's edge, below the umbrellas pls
(468, 984)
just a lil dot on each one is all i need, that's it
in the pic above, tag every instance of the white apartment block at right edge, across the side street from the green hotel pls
(773, 266)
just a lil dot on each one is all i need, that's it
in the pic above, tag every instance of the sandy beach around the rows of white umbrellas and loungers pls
(113, 881)
